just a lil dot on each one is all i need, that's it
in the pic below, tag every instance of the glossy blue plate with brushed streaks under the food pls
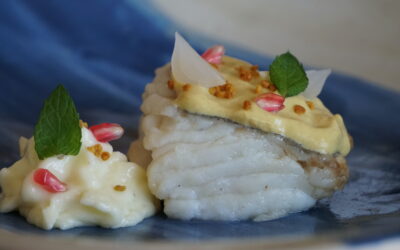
(105, 51)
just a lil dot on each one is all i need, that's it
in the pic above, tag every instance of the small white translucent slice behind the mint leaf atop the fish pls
(316, 81)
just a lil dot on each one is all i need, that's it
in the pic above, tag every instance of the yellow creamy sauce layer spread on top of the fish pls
(316, 129)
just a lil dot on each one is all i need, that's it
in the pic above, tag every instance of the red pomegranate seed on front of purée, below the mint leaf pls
(49, 181)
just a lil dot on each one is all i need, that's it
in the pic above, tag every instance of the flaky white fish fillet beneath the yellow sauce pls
(210, 168)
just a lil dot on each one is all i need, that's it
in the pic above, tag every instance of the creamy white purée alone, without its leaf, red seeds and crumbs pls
(91, 197)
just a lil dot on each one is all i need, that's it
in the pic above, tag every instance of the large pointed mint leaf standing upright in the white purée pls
(57, 130)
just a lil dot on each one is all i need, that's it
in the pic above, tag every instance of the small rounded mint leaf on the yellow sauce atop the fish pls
(288, 75)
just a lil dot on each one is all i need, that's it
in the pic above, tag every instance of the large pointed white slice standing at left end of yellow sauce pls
(188, 67)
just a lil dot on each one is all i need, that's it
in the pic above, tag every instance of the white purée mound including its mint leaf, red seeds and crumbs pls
(69, 175)
